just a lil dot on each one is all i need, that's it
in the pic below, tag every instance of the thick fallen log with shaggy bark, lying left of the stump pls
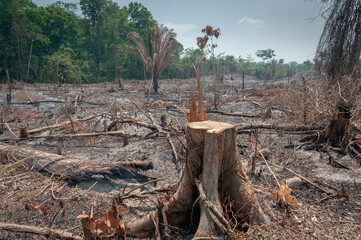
(72, 168)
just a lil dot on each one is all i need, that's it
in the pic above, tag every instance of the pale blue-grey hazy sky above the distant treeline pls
(290, 27)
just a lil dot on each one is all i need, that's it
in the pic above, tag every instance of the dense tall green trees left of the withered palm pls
(50, 44)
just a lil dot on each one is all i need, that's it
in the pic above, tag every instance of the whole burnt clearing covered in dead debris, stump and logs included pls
(83, 192)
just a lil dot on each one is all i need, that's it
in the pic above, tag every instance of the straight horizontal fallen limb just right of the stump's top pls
(286, 128)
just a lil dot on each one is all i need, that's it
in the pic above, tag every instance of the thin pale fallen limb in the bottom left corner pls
(47, 232)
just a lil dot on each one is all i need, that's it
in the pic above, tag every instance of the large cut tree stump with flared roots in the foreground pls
(213, 160)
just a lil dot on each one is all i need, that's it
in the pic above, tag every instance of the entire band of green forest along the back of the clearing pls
(57, 44)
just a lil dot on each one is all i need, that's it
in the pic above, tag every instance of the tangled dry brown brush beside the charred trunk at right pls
(312, 101)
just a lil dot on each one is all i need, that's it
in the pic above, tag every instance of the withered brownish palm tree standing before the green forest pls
(158, 53)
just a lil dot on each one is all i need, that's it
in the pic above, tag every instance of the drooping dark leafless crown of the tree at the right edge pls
(339, 47)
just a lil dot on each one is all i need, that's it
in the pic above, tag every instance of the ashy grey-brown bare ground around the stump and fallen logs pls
(32, 198)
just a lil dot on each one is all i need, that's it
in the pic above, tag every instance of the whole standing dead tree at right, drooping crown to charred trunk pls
(337, 56)
